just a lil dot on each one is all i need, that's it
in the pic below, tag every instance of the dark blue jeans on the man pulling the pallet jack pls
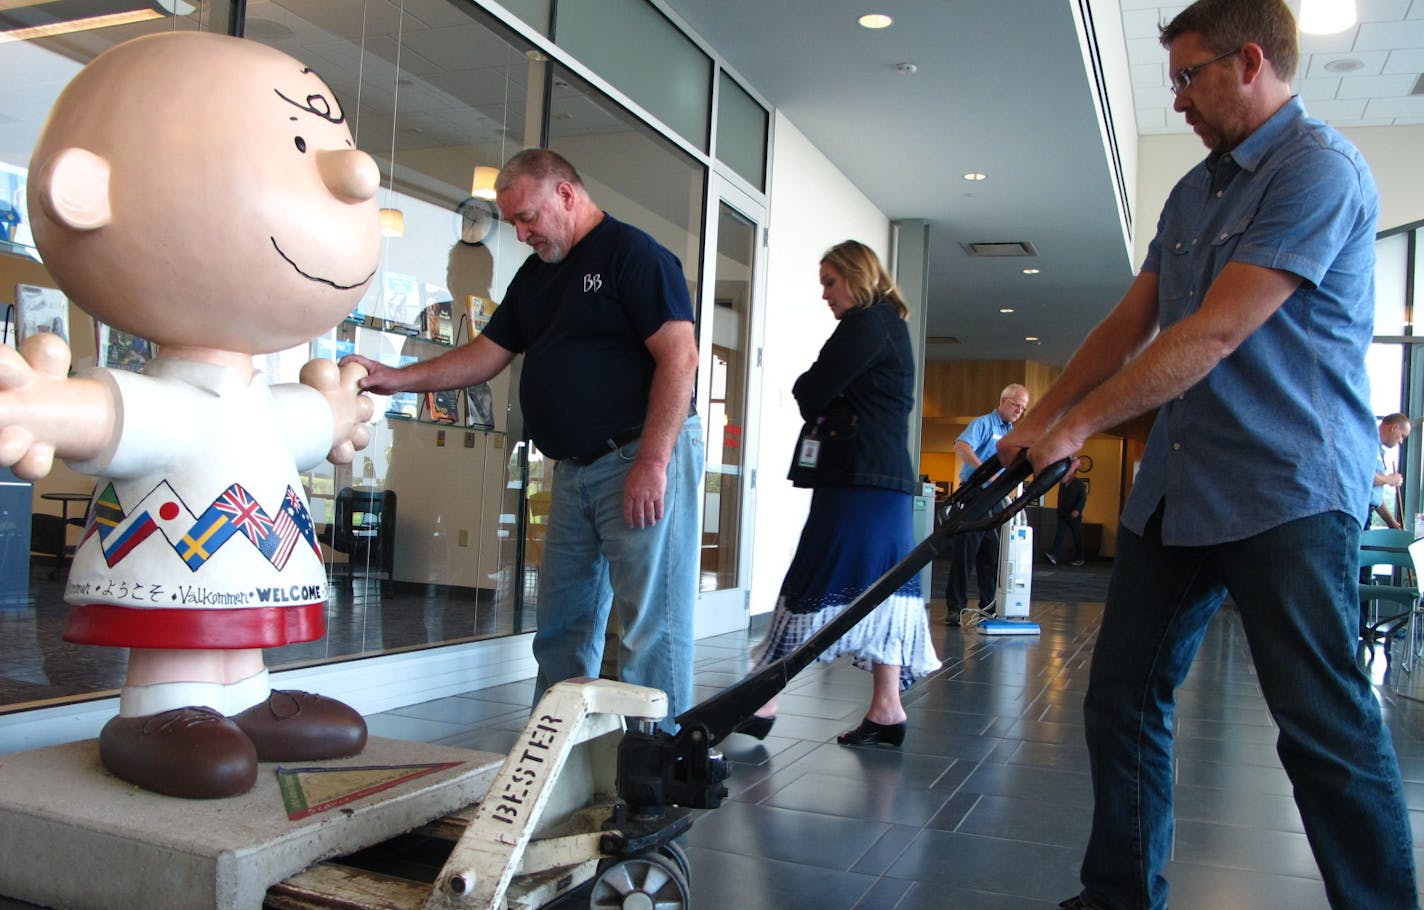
(1295, 587)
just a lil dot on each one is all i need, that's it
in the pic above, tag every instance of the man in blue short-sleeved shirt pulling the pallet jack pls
(1248, 328)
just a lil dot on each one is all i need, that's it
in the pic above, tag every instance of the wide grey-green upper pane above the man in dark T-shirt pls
(642, 53)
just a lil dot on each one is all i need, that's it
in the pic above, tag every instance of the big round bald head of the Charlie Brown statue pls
(241, 217)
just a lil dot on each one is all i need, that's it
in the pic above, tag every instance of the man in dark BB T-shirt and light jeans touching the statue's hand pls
(604, 321)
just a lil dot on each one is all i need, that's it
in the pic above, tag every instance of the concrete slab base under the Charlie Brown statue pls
(75, 837)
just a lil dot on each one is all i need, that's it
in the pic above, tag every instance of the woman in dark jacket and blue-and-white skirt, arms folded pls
(854, 455)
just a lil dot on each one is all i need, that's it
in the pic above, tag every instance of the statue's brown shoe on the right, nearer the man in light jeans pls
(303, 727)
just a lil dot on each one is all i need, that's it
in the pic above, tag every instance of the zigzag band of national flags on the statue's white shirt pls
(236, 515)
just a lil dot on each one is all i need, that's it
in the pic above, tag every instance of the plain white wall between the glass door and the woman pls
(812, 209)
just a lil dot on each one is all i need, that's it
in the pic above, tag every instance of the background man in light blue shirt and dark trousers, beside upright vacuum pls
(978, 552)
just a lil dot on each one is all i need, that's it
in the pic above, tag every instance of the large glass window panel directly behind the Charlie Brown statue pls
(434, 90)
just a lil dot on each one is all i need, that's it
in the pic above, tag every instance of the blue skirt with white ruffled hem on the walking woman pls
(852, 538)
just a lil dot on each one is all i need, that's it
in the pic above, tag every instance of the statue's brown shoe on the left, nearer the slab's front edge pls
(189, 753)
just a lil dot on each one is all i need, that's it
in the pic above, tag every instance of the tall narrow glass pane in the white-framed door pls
(727, 405)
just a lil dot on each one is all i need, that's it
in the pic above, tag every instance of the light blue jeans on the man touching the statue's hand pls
(595, 562)
